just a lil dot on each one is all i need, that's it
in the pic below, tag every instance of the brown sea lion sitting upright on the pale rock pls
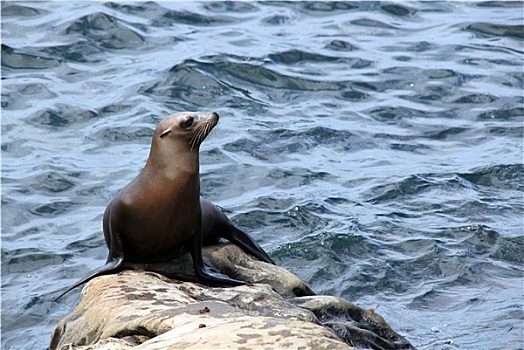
(160, 213)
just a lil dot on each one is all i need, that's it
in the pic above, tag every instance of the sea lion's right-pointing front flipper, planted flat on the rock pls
(203, 270)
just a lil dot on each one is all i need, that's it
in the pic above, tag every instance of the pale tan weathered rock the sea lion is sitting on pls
(144, 309)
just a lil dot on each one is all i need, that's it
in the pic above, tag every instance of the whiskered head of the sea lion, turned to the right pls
(189, 128)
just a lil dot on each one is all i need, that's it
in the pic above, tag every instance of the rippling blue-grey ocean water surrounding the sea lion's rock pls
(373, 149)
